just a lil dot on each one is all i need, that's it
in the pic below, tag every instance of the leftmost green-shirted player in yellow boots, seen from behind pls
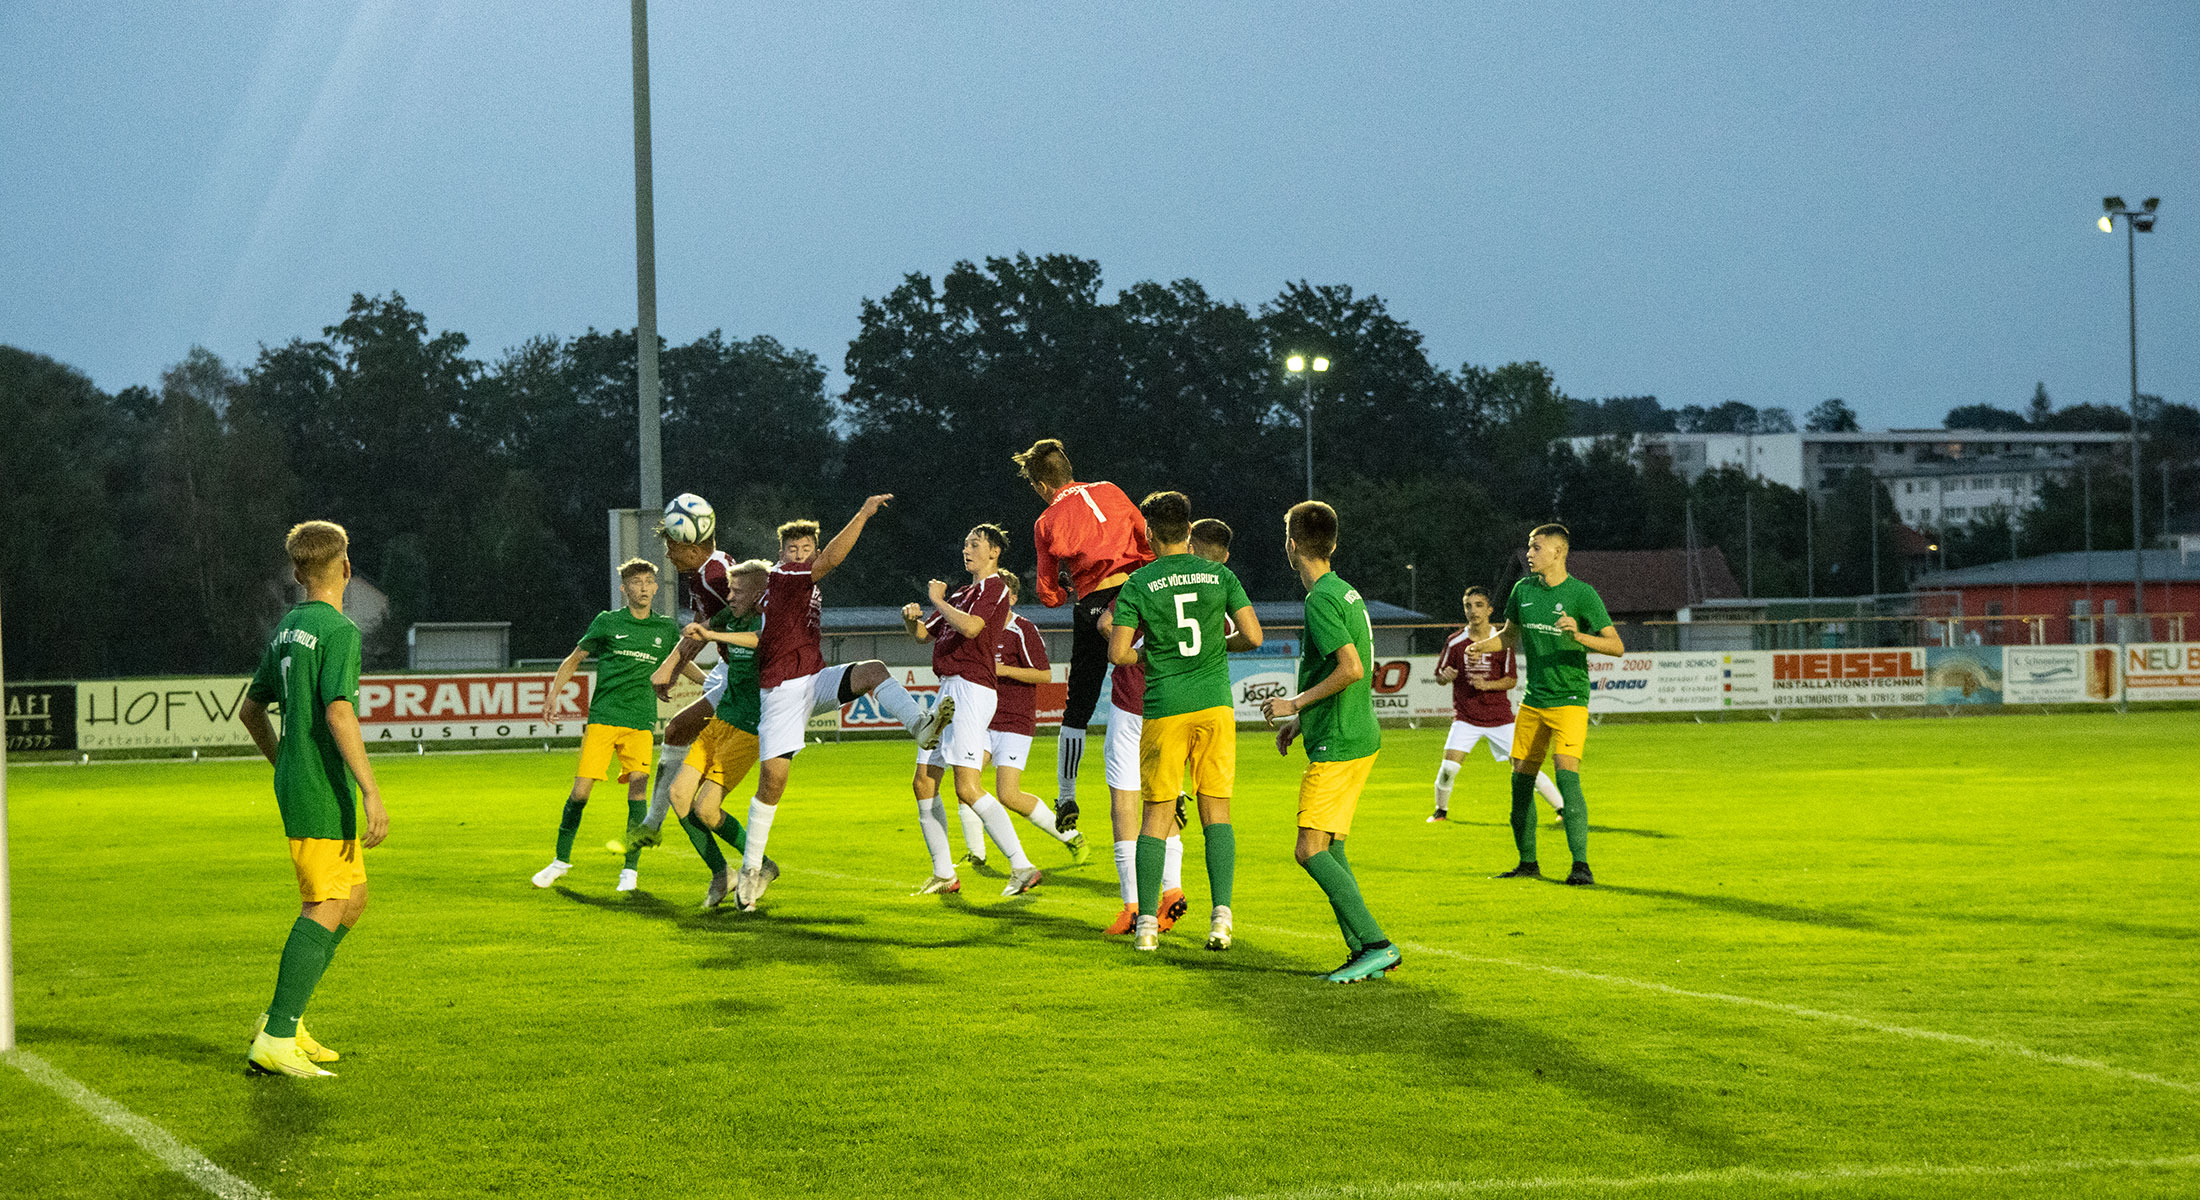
(311, 670)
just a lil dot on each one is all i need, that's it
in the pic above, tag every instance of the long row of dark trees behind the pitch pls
(476, 490)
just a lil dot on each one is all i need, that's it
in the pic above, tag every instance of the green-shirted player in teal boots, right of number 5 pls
(1336, 714)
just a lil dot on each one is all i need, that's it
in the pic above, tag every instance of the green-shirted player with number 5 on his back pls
(1180, 604)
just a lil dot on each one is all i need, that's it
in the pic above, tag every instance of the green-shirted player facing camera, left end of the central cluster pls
(621, 712)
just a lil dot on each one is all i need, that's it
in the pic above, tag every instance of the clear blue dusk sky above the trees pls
(1889, 204)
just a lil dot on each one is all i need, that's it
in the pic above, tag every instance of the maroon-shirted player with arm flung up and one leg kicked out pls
(795, 679)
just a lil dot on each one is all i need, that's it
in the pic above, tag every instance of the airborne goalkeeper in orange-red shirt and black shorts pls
(1099, 536)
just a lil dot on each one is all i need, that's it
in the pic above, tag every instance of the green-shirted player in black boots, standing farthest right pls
(1550, 618)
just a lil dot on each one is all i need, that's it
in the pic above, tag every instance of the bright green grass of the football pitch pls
(1823, 959)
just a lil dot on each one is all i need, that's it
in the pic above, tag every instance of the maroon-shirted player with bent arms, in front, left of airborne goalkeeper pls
(965, 631)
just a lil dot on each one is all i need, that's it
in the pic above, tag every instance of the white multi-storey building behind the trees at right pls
(1939, 479)
